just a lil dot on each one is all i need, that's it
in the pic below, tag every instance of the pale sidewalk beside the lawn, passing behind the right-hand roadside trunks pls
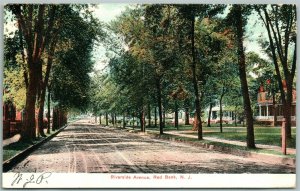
(238, 143)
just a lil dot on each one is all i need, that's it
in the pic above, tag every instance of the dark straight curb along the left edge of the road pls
(9, 163)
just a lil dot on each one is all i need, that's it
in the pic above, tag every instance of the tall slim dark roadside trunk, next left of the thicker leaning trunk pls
(195, 80)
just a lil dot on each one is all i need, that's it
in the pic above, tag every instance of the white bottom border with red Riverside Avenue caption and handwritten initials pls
(125, 180)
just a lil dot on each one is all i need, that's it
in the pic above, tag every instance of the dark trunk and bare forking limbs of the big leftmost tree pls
(34, 49)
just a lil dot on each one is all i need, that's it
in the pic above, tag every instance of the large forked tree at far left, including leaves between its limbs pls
(36, 30)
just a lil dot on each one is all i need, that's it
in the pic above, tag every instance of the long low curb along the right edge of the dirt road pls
(274, 159)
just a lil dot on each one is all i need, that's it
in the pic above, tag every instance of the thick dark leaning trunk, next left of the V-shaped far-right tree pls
(243, 77)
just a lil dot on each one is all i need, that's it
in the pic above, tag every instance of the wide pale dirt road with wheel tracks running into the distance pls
(86, 148)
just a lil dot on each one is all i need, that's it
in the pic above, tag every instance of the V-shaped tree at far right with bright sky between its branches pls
(280, 22)
